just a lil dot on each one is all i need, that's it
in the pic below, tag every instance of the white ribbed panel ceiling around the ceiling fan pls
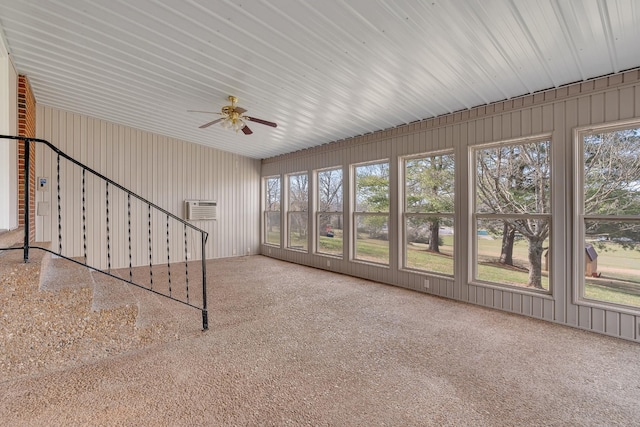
(323, 70)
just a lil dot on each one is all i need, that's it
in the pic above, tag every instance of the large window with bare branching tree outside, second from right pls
(512, 214)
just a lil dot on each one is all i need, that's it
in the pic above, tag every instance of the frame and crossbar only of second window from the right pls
(474, 216)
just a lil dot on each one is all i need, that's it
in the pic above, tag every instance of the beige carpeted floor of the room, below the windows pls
(290, 345)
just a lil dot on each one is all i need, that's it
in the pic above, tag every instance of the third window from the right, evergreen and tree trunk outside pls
(428, 213)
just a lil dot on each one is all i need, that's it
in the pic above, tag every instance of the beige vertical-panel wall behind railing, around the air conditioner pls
(162, 170)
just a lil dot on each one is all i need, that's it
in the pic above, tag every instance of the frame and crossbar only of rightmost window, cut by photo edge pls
(580, 218)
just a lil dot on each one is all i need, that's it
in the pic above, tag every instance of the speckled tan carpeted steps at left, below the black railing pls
(57, 314)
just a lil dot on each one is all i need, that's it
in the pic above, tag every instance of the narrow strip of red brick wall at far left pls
(26, 128)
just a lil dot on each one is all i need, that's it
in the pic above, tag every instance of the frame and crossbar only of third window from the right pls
(405, 214)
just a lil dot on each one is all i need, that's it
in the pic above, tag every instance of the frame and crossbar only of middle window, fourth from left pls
(355, 214)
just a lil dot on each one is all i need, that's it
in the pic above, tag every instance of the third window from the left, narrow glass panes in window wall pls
(329, 237)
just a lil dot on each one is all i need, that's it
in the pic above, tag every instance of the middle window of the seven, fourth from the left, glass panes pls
(371, 213)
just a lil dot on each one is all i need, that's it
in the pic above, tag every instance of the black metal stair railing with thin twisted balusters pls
(204, 234)
